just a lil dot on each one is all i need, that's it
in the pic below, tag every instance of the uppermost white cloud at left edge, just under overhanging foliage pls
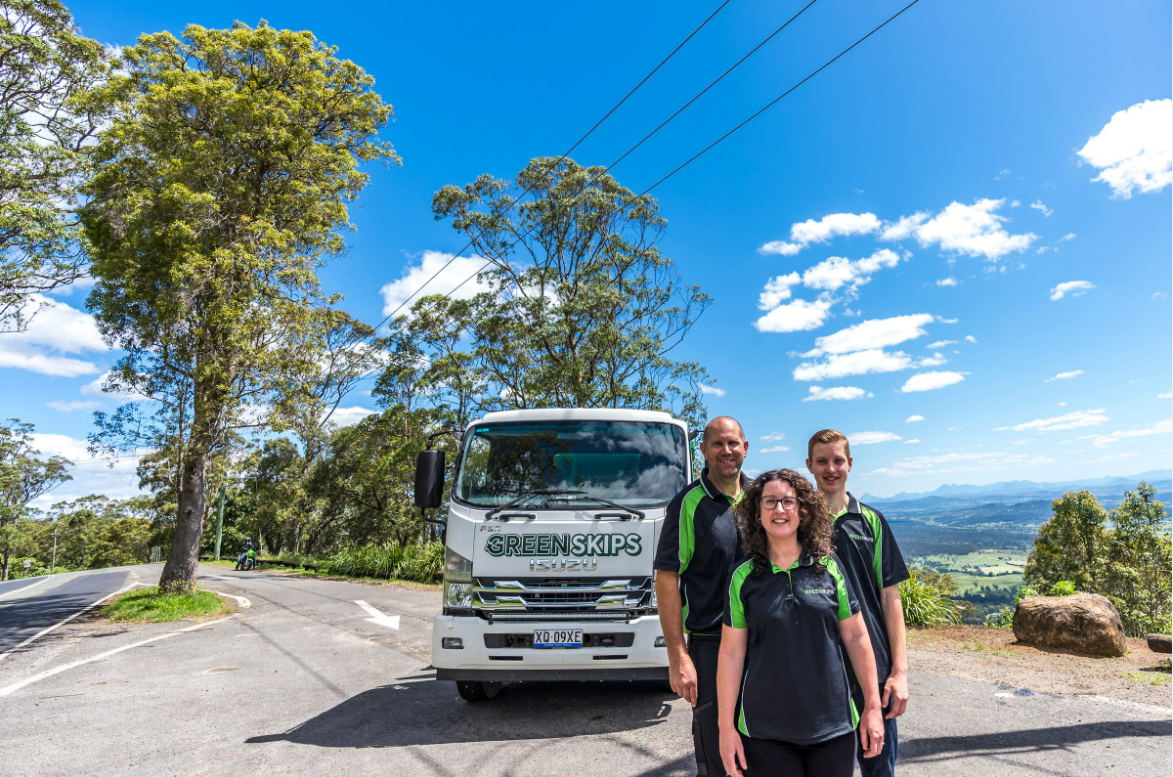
(56, 329)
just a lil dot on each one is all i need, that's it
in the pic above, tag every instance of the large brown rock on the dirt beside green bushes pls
(1081, 623)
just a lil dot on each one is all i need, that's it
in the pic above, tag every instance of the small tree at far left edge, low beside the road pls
(25, 475)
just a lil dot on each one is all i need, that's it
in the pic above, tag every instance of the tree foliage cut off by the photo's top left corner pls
(46, 66)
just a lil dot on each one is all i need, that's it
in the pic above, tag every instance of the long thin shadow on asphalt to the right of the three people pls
(1059, 738)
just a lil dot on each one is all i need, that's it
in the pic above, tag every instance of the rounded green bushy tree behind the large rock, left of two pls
(1069, 545)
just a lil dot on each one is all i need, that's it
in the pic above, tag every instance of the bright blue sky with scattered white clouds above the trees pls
(953, 245)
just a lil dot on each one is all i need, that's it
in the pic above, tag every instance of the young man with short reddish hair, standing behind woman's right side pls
(871, 559)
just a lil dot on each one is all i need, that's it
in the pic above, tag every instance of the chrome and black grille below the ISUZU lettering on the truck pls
(561, 597)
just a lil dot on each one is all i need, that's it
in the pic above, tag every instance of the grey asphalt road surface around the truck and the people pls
(306, 681)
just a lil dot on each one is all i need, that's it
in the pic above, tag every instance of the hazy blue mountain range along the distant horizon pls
(1009, 491)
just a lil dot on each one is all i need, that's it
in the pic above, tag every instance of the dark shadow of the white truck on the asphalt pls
(418, 712)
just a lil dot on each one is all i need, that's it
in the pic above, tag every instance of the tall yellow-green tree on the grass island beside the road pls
(220, 188)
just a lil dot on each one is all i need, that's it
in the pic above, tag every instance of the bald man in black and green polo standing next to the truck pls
(699, 550)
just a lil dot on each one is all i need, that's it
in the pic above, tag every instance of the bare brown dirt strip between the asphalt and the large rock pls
(984, 653)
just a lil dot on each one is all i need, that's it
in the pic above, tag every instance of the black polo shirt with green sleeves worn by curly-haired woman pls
(795, 688)
